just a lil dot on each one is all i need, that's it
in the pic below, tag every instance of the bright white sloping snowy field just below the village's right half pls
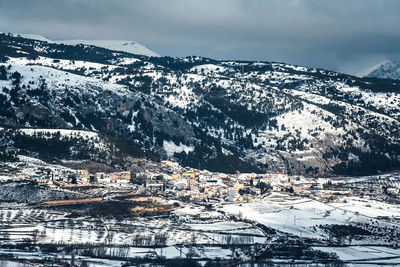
(300, 216)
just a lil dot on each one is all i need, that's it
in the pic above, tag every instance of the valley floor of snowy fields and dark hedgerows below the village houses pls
(276, 228)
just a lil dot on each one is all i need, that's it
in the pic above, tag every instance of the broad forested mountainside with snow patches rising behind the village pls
(205, 113)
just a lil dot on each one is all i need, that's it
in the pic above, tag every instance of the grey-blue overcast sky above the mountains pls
(343, 35)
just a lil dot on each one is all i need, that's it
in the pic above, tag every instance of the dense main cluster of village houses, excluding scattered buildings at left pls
(195, 185)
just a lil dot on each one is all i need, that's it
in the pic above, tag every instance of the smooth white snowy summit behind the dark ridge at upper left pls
(117, 45)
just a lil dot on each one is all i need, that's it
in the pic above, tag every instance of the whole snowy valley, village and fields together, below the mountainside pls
(174, 212)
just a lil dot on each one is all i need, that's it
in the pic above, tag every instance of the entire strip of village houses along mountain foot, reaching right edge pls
(192, 185)
